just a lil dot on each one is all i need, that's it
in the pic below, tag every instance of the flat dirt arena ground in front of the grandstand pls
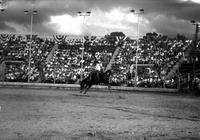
(50, 114)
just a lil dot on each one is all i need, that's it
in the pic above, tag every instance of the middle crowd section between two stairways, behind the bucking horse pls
(65, 65)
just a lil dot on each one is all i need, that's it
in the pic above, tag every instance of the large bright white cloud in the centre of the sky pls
(98, 23)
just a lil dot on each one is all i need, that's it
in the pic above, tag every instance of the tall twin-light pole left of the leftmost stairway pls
(31, 14)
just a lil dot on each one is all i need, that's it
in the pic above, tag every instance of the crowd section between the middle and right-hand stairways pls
(160, 51)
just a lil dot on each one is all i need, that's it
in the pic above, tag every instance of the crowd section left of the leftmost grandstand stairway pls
(16, 52)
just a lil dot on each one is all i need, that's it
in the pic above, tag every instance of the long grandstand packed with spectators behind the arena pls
(56, 59)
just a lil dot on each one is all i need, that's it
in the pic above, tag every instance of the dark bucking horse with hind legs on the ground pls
(95, 77)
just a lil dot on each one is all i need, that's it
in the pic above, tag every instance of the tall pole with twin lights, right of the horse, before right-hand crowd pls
(141, 11)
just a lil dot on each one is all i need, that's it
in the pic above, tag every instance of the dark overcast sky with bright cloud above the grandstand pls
(168, 17)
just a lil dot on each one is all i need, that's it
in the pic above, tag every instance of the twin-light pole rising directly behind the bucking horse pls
(82, 54)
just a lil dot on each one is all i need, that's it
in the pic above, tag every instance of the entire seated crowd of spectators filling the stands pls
(160, 53)
